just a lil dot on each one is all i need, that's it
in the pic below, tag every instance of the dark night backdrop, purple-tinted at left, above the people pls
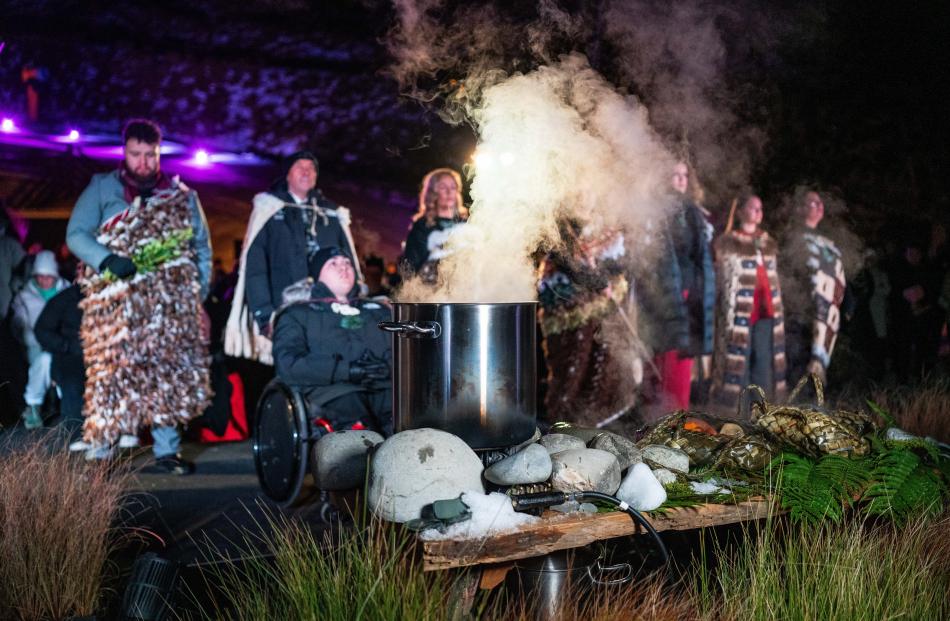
(851, 97)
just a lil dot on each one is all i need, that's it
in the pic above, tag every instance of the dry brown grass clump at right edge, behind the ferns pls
(922, 410)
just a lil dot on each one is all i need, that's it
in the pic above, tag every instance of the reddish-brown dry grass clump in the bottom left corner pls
(56, 532)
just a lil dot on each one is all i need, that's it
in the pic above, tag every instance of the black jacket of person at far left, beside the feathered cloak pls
(57, 330)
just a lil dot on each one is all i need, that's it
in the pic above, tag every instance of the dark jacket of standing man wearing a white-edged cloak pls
(278, 255)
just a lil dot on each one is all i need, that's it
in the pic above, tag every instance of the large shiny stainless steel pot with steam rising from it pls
(469, 369)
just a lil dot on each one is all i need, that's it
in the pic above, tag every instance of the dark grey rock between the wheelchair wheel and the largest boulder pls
(340, 458)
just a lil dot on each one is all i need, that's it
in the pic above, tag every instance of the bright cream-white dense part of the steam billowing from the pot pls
(557, 142)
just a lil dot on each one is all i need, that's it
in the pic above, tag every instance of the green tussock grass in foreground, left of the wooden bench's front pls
(369, 573)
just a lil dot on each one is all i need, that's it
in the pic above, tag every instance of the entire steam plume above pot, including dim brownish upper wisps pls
(556, 138)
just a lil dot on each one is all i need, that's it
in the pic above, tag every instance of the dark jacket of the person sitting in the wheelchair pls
(314, 345)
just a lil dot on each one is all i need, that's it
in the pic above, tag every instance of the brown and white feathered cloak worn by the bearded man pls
(146, 361)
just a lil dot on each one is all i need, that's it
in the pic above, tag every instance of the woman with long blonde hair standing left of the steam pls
(440, 211)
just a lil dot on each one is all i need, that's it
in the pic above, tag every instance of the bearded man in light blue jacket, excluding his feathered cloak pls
(109, 198)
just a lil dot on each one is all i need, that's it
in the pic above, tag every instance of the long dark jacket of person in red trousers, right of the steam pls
(683, 262)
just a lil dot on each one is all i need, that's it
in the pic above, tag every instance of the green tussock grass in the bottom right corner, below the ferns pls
(833, 571)
